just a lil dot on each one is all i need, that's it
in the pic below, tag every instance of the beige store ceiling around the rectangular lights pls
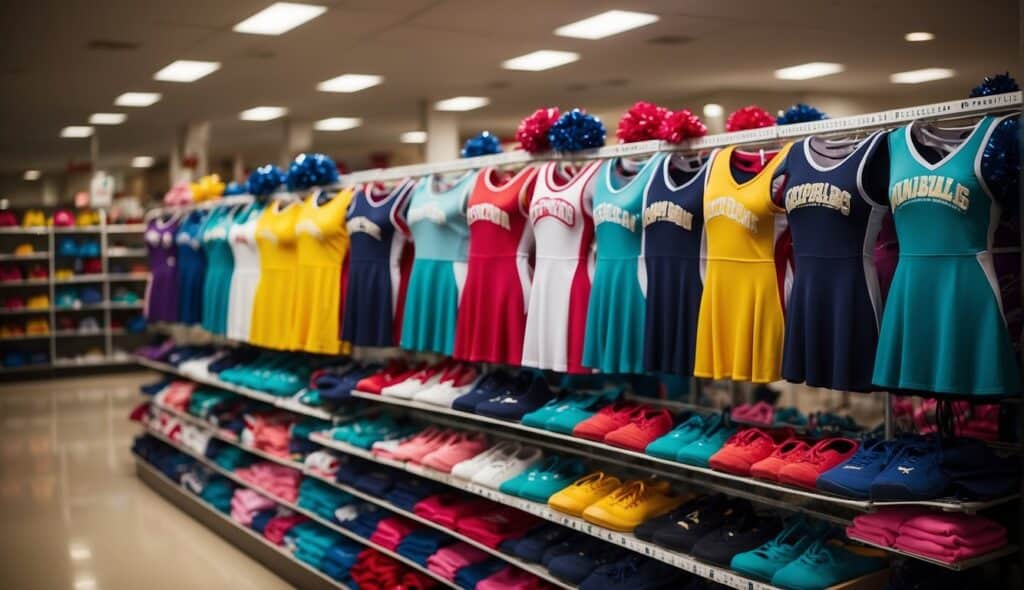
(432, 50)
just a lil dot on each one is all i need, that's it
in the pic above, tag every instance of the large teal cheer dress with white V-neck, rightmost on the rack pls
(944, 329)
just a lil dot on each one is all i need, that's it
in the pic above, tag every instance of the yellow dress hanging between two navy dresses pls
(741, 327)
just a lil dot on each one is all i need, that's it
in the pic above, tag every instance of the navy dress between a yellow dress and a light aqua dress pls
(378, 240)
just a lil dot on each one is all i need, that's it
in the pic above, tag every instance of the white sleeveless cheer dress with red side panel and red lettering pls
(561, 218)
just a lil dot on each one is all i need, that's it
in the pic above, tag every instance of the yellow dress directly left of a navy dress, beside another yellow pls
(323, 246)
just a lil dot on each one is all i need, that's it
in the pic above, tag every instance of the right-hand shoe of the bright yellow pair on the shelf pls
(631, 505)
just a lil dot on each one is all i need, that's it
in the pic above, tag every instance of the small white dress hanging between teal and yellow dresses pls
(245, 279)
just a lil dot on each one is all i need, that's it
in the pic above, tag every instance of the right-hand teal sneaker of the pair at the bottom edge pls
(828, 564)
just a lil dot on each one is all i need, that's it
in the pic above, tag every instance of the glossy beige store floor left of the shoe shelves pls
(73, 514)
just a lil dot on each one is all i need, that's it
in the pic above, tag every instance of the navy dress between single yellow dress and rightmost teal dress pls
(835, 305)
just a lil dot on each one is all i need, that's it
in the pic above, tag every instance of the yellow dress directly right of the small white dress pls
(274, 306)
